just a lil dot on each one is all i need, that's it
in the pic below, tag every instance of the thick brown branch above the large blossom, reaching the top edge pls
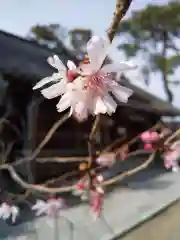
(120, 11)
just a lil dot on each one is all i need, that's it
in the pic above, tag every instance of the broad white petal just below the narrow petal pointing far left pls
(55, 90)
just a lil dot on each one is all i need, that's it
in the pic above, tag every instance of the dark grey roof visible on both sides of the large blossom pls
(27, 59)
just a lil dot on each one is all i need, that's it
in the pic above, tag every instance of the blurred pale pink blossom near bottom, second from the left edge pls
(50, 207)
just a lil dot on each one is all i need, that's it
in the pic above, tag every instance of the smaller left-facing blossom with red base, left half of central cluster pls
(59, 79)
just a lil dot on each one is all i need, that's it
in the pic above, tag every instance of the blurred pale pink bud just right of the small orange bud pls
(106, 159)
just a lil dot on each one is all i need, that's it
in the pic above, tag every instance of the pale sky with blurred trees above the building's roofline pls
(149, 35)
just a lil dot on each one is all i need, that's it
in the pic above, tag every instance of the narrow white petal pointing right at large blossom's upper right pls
(122, 66)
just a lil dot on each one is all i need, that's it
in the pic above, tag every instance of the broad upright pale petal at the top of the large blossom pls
(97, 48)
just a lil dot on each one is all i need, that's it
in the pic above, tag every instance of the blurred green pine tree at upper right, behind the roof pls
(153, 31)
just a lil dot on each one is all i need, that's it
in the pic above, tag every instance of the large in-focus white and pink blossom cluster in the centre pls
(86, 89)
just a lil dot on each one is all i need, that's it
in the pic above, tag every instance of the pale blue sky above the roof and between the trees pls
(17, 16)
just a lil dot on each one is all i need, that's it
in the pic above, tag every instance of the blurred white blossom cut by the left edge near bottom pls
(9, 211)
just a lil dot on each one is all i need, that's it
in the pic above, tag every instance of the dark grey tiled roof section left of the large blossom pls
(26, 58)
